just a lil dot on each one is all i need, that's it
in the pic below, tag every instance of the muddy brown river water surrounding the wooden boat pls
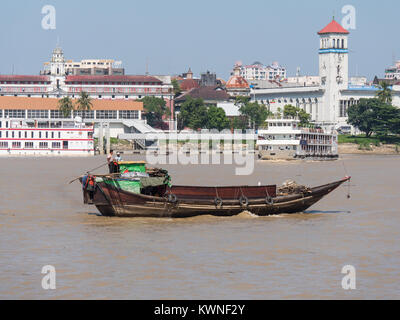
(43, 222)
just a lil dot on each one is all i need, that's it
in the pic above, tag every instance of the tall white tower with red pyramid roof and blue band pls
(333, 68)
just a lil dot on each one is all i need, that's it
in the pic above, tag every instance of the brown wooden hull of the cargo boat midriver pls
(112, 201)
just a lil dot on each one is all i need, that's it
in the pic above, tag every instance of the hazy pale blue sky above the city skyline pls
(174, 35)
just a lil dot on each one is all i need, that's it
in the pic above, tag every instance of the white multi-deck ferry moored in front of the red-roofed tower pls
(285, 139)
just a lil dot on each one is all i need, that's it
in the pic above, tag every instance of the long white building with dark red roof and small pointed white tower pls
(57, 83)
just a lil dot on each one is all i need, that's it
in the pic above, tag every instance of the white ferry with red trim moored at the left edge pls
(46, 138)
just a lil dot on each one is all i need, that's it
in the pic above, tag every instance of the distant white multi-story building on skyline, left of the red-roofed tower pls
(257, 71)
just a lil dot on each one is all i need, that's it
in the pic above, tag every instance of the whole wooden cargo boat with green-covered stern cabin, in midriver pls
(116, 195)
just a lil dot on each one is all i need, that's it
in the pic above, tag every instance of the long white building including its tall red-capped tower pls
(327, 101)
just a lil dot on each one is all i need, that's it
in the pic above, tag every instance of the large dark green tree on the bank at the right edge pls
(373, 115)
